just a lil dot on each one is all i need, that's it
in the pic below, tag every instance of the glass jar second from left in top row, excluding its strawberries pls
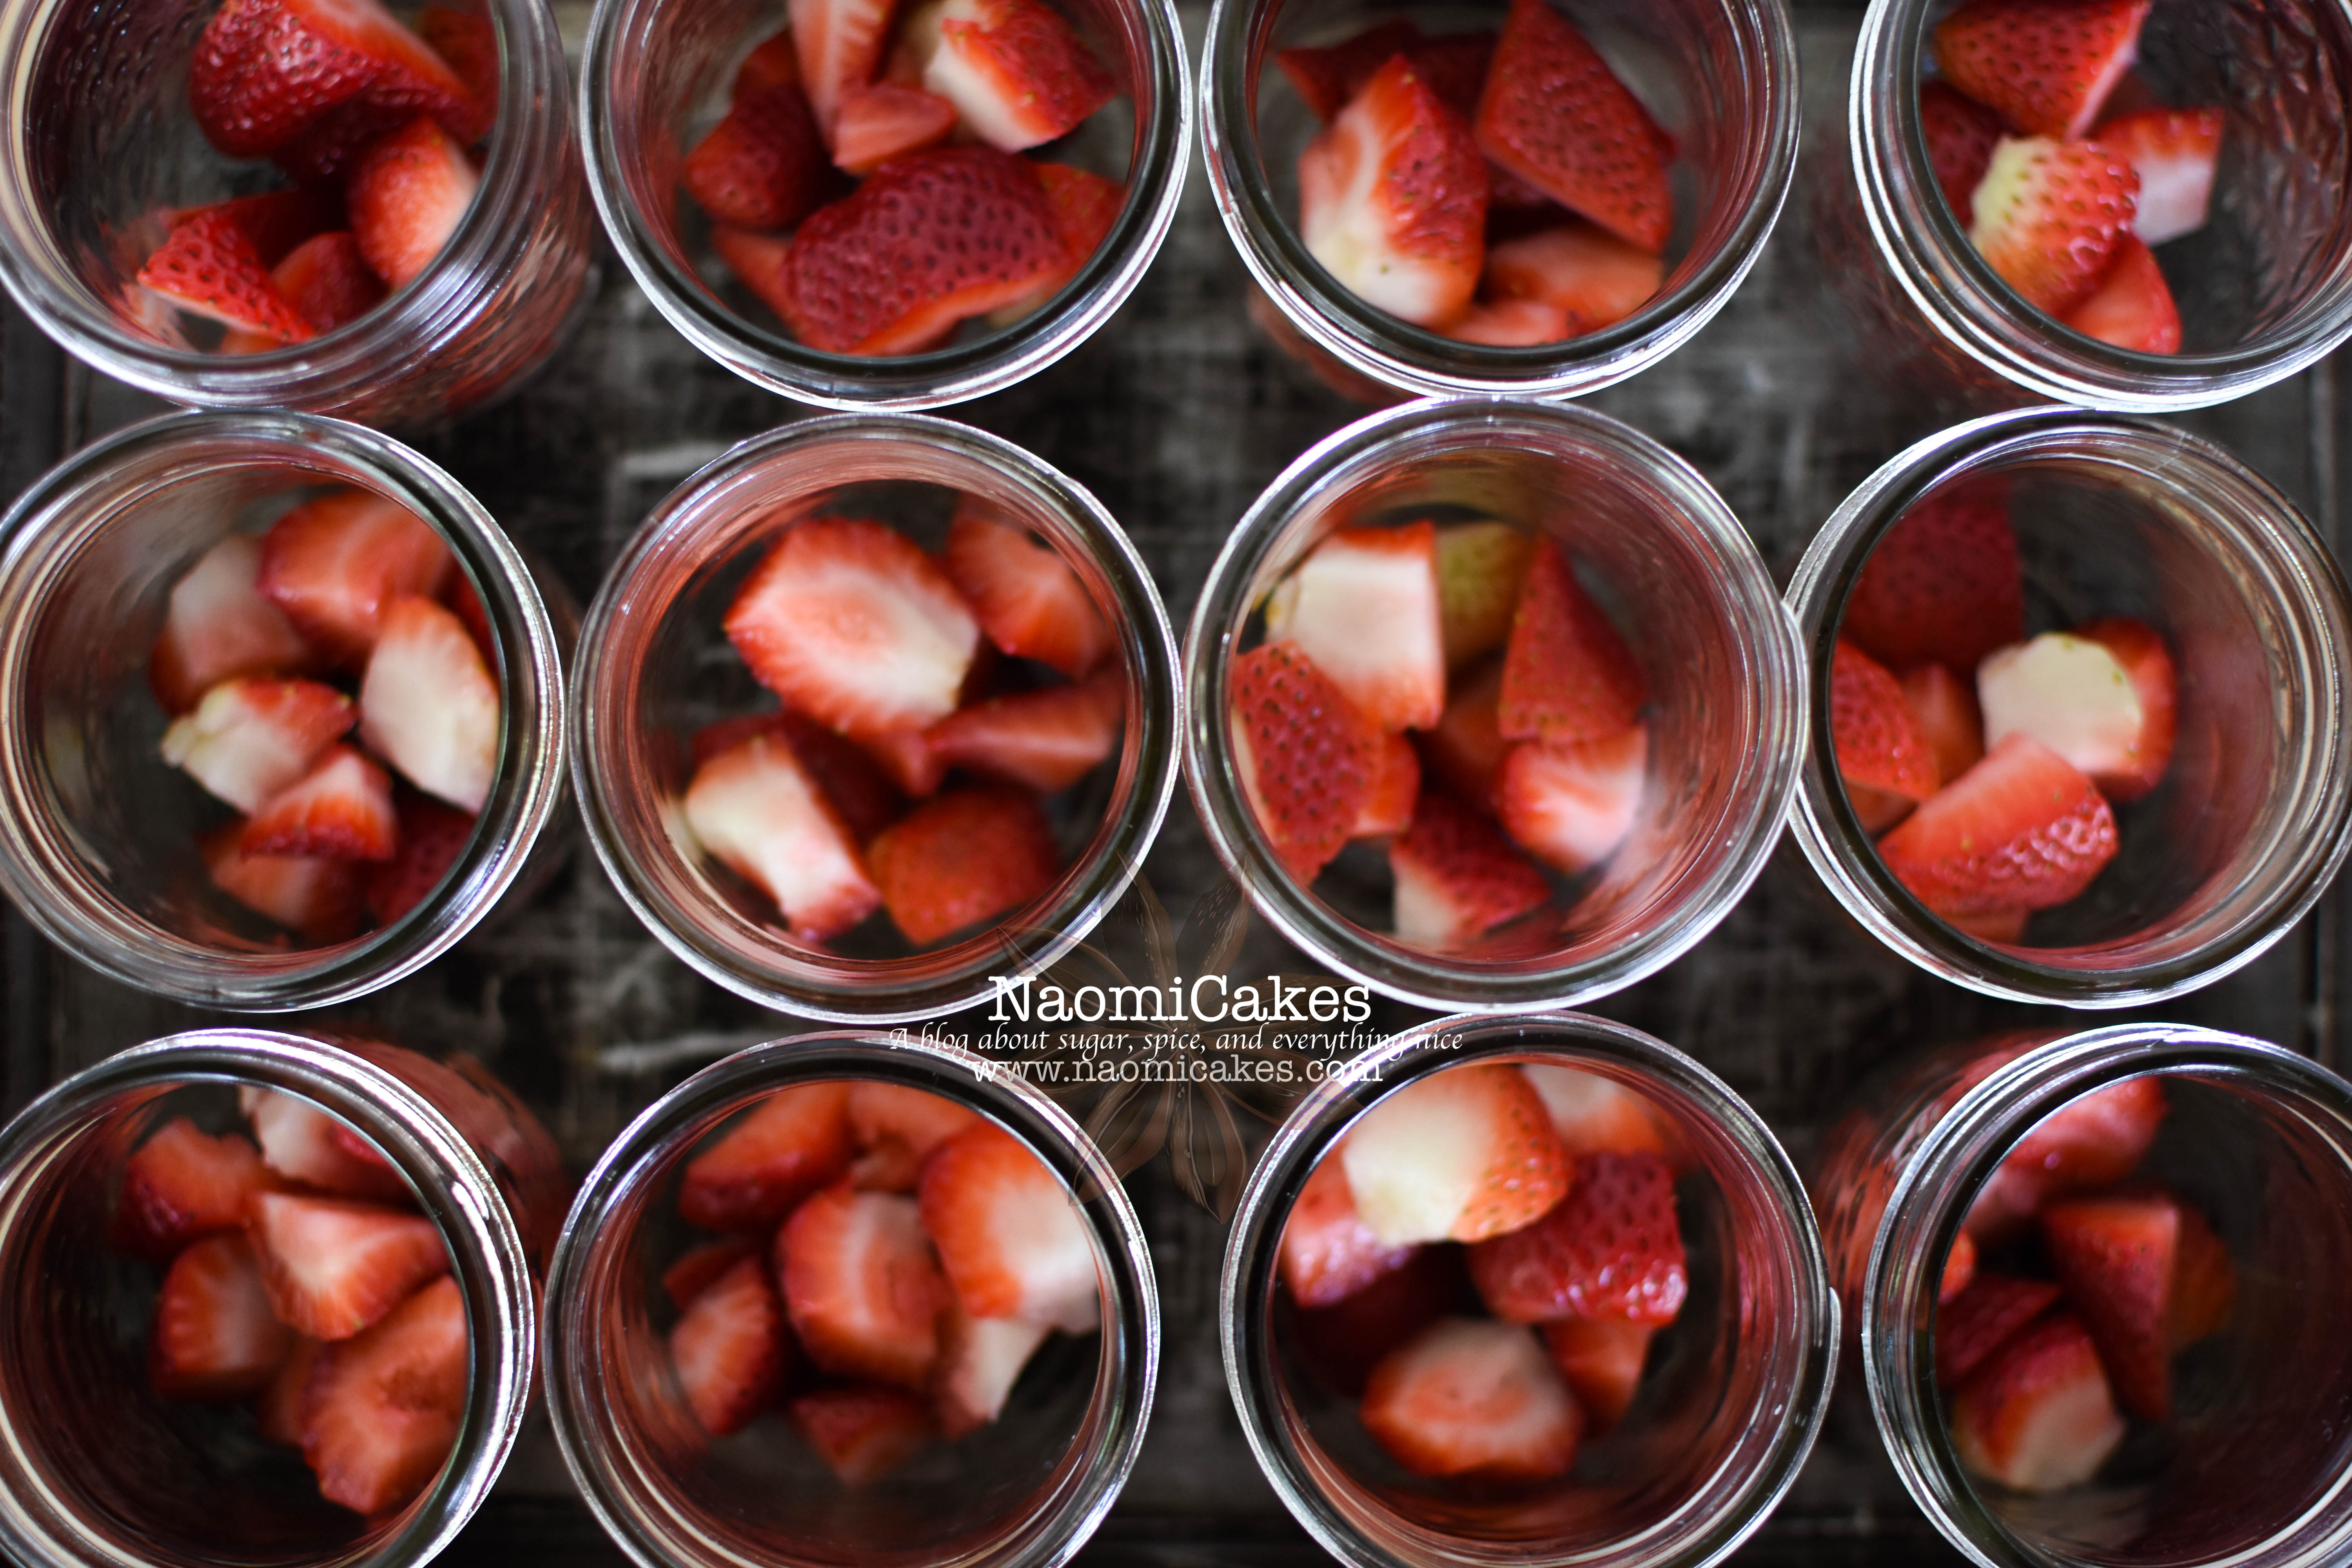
(653, 83)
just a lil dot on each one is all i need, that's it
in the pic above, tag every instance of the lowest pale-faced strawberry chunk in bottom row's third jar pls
(1471, 1398)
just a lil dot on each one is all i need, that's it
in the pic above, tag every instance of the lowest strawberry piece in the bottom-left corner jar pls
(385, 1409)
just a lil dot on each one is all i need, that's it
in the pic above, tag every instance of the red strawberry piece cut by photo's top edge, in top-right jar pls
(2045, 67)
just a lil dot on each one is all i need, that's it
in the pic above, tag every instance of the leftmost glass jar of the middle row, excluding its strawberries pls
(98, 831)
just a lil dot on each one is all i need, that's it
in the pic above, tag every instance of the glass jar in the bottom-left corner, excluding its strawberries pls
(100, 1470)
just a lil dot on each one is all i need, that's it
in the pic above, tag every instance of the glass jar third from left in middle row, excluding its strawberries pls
(1702, 617)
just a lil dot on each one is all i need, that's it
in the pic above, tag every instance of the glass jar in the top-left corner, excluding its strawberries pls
(102, 145)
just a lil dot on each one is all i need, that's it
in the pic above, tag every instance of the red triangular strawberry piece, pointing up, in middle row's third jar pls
(1568, 676)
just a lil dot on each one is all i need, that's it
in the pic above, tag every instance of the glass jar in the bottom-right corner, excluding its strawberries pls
(2252, 1137)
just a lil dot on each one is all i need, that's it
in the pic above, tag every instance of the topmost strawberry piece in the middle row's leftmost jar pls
(338, 561)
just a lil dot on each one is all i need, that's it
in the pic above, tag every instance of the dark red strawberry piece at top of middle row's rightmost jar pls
(1942, 584)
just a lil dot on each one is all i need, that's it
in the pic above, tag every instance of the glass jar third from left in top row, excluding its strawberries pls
(1718, 74)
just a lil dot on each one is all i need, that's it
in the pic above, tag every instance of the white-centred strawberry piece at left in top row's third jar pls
(1394, 201)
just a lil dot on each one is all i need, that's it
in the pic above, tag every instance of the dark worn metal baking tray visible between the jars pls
(1177, 415)
